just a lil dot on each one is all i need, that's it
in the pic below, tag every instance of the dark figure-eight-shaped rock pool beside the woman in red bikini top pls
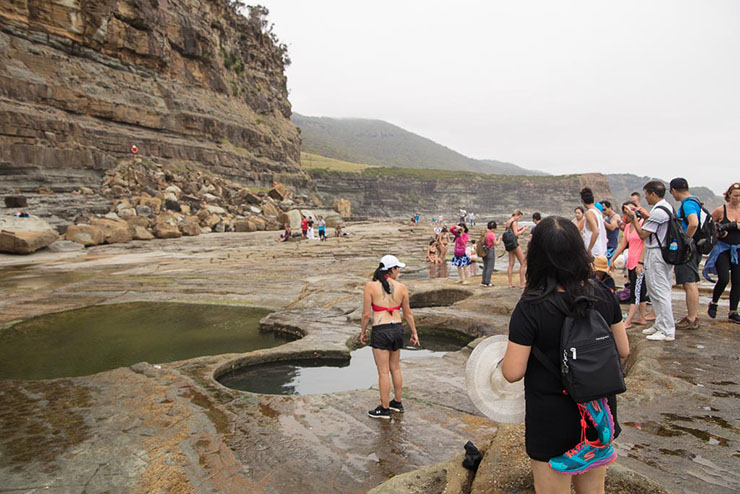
(325, 375)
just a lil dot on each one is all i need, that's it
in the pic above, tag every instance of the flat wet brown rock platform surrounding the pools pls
(172, 427)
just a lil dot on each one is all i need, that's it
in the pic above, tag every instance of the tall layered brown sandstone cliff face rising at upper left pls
(187, 81)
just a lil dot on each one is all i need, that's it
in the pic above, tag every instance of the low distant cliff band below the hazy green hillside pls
(400, 193)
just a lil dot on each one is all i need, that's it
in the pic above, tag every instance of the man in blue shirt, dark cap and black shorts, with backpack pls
(687, 274)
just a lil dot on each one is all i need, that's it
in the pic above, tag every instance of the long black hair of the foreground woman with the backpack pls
(556, 256)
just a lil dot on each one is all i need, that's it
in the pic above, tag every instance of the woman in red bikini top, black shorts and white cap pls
(385, 300)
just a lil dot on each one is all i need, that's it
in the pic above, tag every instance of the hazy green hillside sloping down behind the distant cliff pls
(379, 143)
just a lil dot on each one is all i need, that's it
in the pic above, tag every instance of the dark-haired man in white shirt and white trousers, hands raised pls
(658, 272)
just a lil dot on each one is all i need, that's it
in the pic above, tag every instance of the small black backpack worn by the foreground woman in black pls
(589, 367)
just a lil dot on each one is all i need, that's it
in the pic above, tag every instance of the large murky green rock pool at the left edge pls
(93, 339)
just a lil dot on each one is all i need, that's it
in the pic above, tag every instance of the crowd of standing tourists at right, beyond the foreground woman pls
(653, 248)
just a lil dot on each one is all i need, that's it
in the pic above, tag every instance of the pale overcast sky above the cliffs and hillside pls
(647, 87)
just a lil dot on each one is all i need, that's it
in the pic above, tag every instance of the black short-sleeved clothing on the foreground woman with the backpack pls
(552, 418)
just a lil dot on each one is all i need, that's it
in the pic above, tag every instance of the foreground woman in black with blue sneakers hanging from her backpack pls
(567, 434)
